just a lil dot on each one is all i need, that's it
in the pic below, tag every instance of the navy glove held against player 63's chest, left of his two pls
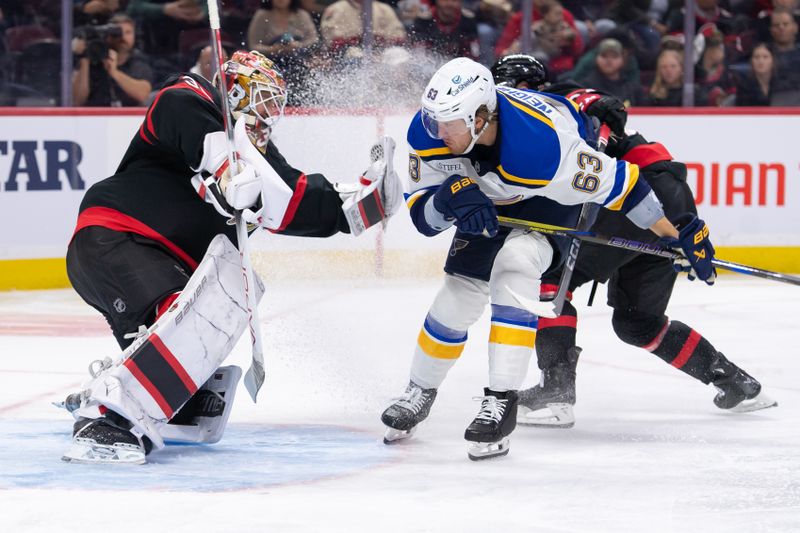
(461, 199)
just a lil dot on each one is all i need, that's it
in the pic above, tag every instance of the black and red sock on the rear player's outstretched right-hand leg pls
(686, 350)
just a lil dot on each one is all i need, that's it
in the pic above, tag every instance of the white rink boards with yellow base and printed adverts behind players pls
(741, 166)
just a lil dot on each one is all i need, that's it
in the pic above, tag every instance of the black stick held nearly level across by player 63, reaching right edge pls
(641, 247)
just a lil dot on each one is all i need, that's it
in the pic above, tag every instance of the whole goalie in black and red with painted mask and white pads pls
(143, 232)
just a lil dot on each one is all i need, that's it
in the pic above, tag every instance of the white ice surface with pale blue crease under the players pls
(649, 451)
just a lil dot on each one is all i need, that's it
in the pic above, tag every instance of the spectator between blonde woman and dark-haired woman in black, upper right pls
(714, 81)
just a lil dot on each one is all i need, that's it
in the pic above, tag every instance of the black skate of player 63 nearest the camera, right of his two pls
(496, 419)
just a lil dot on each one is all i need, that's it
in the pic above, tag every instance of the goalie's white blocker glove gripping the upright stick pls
(256, 190)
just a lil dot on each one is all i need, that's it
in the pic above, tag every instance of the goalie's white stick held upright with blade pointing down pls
(255, 375)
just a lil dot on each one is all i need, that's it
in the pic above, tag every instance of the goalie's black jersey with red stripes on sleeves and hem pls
(151, 193)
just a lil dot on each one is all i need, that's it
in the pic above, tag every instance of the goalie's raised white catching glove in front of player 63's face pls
(377, 194)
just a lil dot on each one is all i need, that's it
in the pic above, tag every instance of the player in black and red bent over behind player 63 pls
(639, 285)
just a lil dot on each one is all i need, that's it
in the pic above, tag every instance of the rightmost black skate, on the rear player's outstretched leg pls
(739, 392)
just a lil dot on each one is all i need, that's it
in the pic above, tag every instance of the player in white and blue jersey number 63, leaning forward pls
(476, 150)
